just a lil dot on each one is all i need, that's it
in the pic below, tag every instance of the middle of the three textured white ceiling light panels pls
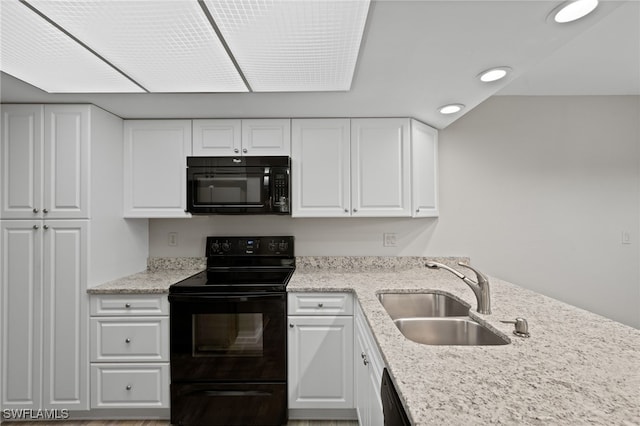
(166, 46)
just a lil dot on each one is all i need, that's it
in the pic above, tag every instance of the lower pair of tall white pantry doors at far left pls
(44, 305)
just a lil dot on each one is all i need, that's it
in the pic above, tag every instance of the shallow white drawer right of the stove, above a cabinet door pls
(320, 304)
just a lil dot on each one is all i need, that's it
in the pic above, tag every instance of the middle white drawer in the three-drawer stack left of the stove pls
(130, 339)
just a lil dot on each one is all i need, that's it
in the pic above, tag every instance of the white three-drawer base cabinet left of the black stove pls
(129, 351)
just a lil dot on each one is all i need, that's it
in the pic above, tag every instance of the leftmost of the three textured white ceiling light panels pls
(35, 51)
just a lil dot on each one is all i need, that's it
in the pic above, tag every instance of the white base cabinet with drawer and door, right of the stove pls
(320, 351)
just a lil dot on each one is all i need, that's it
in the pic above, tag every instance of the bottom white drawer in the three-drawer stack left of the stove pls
(130, 385)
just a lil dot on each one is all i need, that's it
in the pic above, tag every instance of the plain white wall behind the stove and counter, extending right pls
(536, 190)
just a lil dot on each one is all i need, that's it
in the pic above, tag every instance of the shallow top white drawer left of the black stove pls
(132, 304)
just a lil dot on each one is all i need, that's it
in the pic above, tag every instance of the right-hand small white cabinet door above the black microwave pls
(266, 137)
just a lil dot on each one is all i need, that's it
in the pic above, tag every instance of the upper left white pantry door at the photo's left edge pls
(21, 166)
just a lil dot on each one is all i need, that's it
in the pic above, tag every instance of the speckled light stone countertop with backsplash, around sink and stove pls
(576, 368)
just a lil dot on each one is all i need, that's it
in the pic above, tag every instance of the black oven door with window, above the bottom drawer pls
(228, 337)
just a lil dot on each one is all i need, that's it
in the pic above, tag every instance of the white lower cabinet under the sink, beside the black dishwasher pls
(368, 373)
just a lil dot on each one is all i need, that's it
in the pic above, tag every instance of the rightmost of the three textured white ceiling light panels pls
(293, 45)
